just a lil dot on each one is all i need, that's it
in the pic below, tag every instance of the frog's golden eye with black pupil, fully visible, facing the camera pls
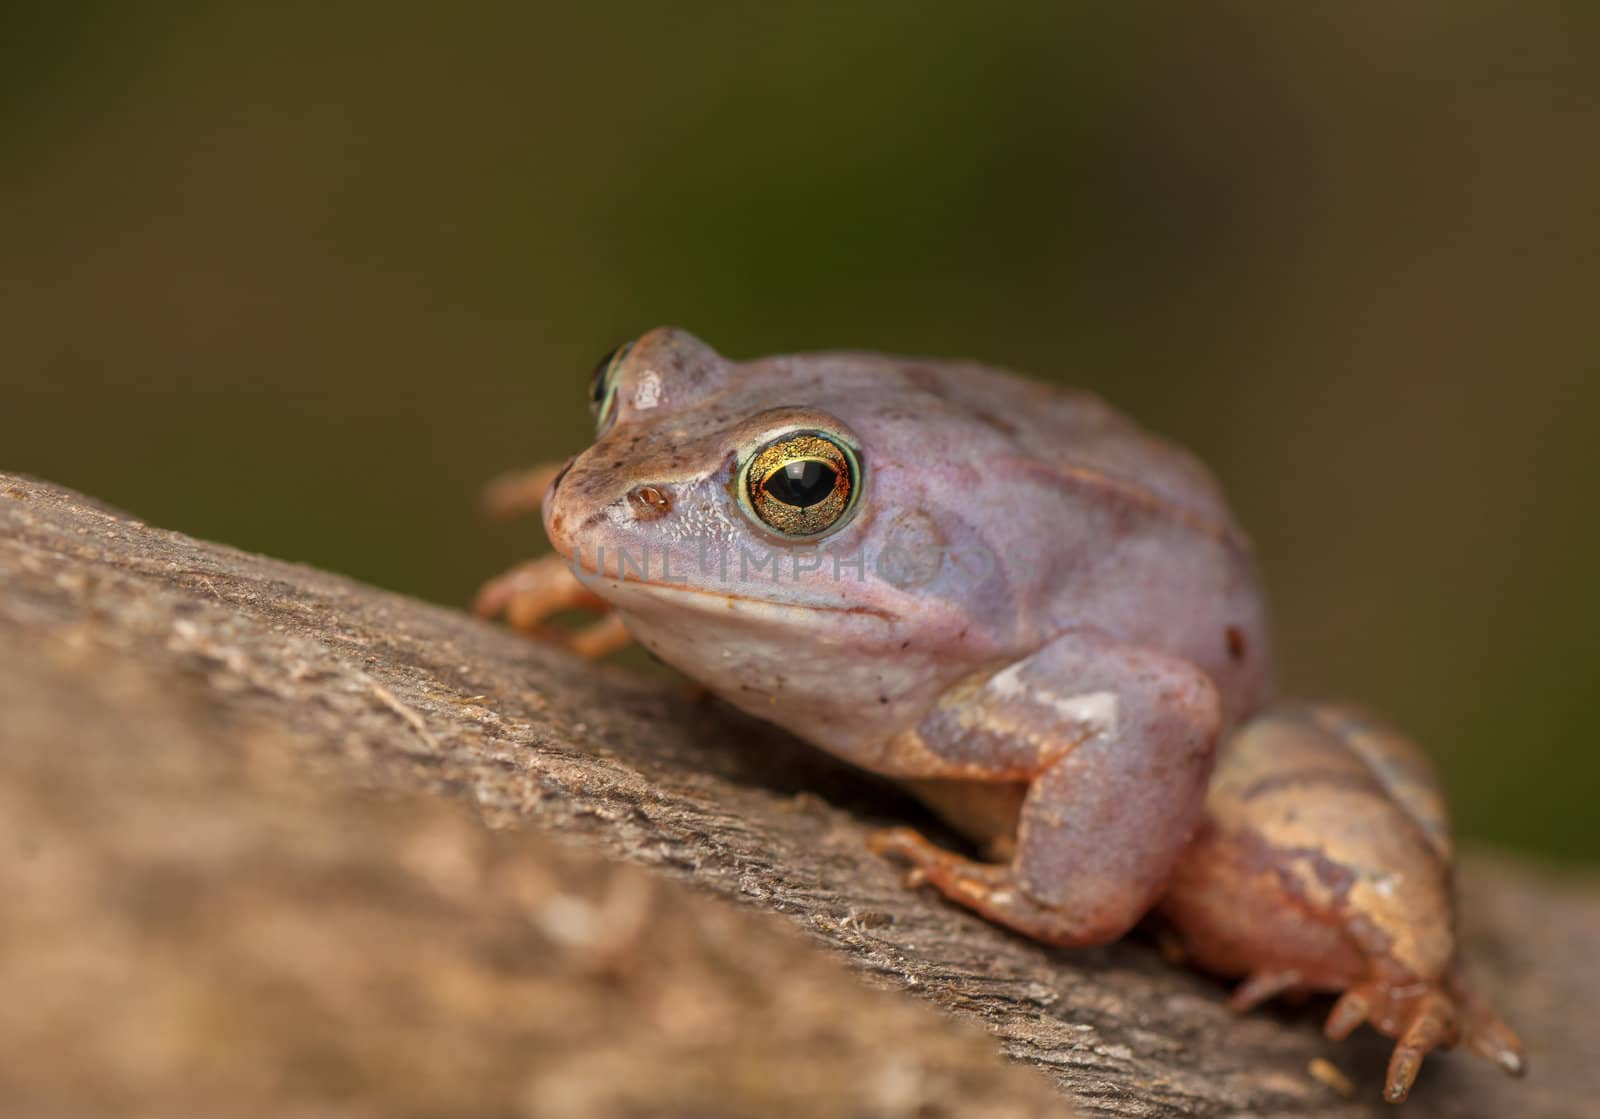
(801, 484)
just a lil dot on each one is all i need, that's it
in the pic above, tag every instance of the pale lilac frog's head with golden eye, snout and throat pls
(764, 524)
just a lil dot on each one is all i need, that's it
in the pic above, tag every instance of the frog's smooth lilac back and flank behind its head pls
(1097, 521)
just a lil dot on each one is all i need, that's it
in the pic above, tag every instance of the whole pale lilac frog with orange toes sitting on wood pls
(1033, 614)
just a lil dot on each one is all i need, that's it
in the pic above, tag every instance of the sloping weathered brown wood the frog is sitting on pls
(185, 723)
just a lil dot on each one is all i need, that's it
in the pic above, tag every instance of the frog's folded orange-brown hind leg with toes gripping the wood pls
(1326, 852)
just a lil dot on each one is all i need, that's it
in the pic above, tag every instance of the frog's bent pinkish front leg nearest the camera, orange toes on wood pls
(1116, 747)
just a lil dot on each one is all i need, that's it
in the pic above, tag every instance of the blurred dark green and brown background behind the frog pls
(303, 278)
